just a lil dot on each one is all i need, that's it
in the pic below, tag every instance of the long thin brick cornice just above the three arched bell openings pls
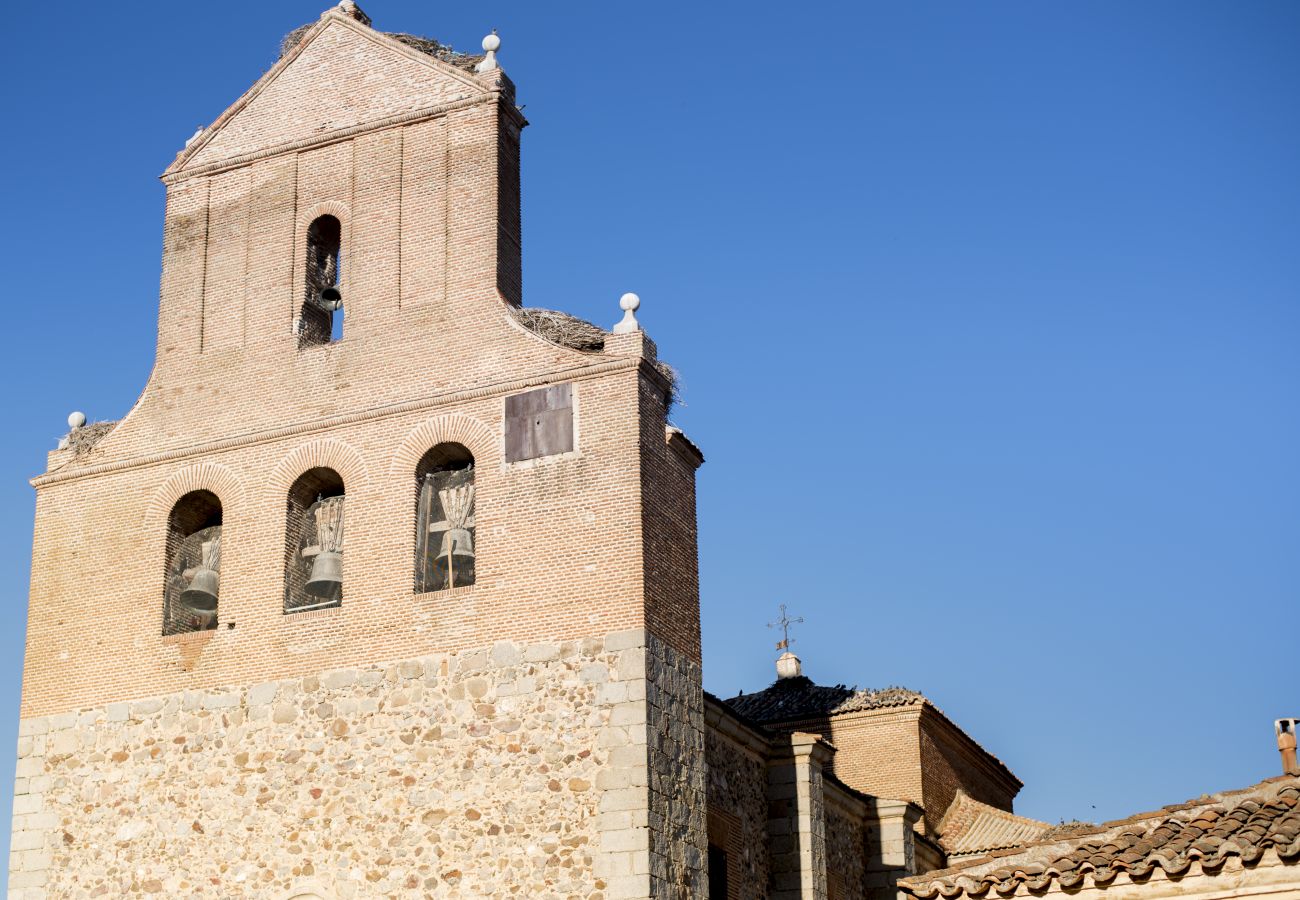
(578, 374)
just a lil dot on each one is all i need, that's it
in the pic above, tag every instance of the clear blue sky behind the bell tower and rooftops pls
(987, 317)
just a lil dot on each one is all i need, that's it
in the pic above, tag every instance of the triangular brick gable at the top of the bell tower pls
(340, 76)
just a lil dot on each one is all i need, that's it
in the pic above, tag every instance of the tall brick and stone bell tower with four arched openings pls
(395, 581)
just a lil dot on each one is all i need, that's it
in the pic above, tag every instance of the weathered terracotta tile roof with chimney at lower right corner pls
(1210, 830)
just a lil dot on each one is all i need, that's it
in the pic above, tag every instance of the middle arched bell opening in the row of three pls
(314, 542)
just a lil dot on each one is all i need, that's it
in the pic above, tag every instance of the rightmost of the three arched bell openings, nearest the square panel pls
(445, 539)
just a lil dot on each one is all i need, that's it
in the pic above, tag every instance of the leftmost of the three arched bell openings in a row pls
(193, 577)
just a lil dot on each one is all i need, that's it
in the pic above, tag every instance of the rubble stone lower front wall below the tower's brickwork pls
(476, 774)
